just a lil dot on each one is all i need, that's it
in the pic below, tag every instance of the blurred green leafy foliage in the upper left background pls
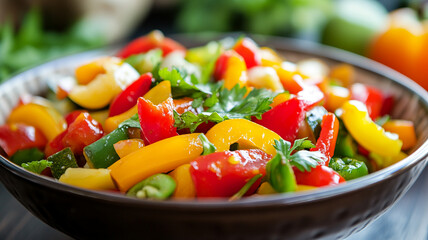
(31, 45)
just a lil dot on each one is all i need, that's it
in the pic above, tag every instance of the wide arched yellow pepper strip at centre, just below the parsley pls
(245, 133)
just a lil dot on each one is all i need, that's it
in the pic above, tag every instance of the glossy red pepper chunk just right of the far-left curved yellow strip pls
(82, 132)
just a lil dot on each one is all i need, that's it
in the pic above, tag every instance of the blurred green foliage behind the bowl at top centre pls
(299, 18)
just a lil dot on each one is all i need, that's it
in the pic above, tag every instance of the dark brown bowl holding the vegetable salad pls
(333, 212)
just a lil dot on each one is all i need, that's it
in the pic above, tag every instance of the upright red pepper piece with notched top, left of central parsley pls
(157, 121)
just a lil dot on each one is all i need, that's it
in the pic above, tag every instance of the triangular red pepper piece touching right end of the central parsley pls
(285, 118)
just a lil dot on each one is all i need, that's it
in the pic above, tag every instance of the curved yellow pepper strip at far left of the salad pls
(43, 117)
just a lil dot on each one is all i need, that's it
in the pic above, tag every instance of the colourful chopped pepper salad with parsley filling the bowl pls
(228, 119)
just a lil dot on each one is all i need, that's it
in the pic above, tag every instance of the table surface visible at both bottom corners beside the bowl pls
(407, 219)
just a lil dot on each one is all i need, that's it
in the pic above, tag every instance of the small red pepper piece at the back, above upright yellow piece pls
(249, 50)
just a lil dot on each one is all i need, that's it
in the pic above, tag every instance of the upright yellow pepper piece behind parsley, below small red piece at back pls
(236, 72)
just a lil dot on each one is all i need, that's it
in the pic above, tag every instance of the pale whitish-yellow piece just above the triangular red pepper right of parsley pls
(264, 77)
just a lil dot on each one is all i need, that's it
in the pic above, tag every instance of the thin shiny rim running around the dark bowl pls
(281, 43)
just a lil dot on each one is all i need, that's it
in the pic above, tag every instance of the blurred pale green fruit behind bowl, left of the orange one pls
(354, 25)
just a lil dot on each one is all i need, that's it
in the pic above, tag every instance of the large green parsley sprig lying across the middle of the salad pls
(228, 104)
